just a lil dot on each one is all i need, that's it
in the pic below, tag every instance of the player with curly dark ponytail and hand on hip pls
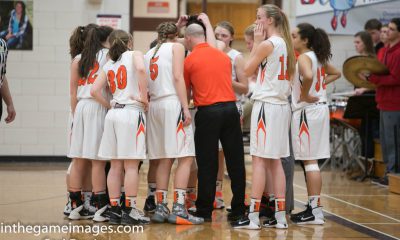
(310, 120)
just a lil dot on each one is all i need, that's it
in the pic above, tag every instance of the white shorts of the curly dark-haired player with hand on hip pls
(310, 133)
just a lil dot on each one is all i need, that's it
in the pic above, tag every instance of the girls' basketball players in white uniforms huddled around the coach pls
(128, 107)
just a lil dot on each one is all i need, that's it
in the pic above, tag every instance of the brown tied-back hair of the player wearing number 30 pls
(119, 41)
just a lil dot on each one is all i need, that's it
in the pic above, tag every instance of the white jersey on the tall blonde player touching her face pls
(272, 80)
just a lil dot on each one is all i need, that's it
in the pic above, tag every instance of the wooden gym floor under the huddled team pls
(34, 194)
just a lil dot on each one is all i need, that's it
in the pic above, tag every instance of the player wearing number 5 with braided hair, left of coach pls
(169, 133)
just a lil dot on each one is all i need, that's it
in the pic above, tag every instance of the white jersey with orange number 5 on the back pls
(159, 70)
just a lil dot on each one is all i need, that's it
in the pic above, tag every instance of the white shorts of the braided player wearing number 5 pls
(166, 136)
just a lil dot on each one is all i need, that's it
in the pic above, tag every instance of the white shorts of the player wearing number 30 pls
(124, 134)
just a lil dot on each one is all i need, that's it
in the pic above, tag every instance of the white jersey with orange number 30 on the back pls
(122, 81)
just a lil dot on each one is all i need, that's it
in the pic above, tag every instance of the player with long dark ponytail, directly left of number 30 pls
(88, 119)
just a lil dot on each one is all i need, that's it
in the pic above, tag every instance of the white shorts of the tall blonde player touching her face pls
(269, 131)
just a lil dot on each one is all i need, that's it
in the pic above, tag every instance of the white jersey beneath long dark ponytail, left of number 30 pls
(85, 84)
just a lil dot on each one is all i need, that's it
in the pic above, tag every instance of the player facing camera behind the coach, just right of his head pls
(224, 32)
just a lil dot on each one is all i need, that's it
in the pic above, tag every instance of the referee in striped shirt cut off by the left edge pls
(4, 90)
